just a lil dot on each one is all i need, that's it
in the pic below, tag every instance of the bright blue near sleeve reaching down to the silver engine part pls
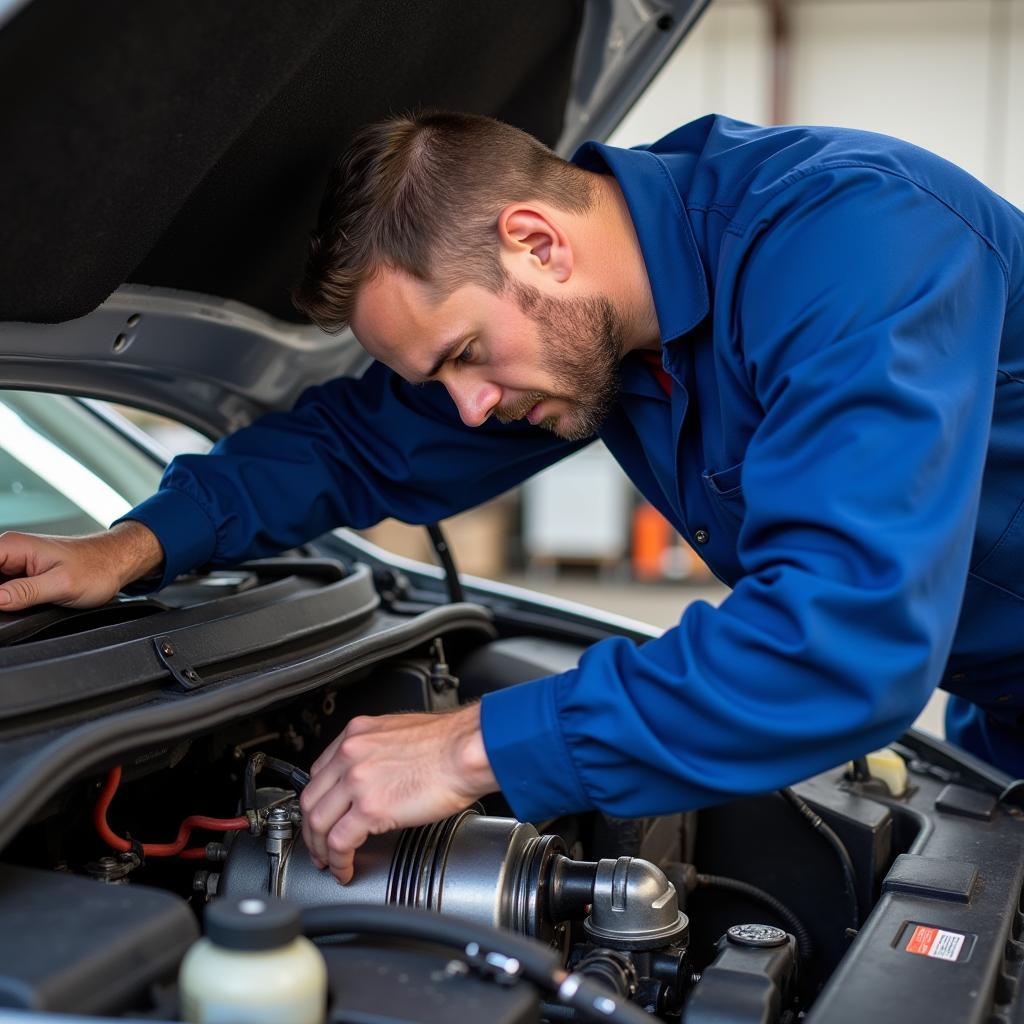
(867, 317)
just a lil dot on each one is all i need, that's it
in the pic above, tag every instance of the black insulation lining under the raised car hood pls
(186, 146)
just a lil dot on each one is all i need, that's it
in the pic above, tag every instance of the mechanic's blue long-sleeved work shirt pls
(842, 317)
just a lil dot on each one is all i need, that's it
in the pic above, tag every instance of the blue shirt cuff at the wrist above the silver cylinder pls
(525, 744)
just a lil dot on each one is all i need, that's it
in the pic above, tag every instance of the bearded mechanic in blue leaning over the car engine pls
(806, 349)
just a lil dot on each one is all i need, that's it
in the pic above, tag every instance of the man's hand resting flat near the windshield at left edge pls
(75, 572)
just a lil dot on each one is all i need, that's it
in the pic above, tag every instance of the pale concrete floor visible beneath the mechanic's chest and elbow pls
(662, 605)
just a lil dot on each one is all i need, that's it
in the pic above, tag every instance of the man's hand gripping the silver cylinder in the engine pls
(392, 773)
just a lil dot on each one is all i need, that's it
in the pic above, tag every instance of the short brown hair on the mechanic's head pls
(395, 196)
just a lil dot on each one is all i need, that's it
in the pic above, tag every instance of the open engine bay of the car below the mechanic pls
(888, 889)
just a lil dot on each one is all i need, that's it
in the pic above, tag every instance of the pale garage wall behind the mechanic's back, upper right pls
(948, 75)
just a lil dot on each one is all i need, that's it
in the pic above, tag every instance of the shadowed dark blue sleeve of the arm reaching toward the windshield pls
(350, 454)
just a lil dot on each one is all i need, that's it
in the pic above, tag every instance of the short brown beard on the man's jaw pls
(583, 342)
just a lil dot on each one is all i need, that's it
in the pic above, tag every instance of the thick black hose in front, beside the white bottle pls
(486, 949)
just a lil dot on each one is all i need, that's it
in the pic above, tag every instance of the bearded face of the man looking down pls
(516, 355)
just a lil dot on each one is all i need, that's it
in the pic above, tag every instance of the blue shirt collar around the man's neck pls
(677, 277)
